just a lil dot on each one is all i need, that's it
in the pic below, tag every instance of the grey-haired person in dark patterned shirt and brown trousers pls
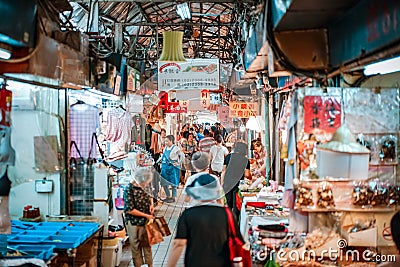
(138, 208)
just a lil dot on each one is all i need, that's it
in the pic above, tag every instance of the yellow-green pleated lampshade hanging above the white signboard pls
(172, 47)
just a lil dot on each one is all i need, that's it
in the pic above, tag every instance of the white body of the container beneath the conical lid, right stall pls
(342, 165)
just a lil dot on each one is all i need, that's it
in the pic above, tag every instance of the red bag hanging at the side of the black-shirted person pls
(236, 245)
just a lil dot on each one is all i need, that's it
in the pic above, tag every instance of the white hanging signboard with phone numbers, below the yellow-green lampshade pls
(196, 73)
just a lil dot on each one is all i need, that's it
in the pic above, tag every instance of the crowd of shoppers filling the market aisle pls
(210, 174)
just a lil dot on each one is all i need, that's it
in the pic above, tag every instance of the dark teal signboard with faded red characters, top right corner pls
(371, 26)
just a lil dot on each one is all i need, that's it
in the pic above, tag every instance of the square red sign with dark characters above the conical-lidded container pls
(322, 114)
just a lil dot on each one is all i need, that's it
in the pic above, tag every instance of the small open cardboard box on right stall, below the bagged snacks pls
(366, 238)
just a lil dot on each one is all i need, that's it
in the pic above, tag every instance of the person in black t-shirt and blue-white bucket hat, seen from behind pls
(203, 229)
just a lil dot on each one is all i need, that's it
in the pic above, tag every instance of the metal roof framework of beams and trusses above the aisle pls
(134, 28)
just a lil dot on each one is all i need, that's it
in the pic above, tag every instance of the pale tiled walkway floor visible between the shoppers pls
(171, 213)
